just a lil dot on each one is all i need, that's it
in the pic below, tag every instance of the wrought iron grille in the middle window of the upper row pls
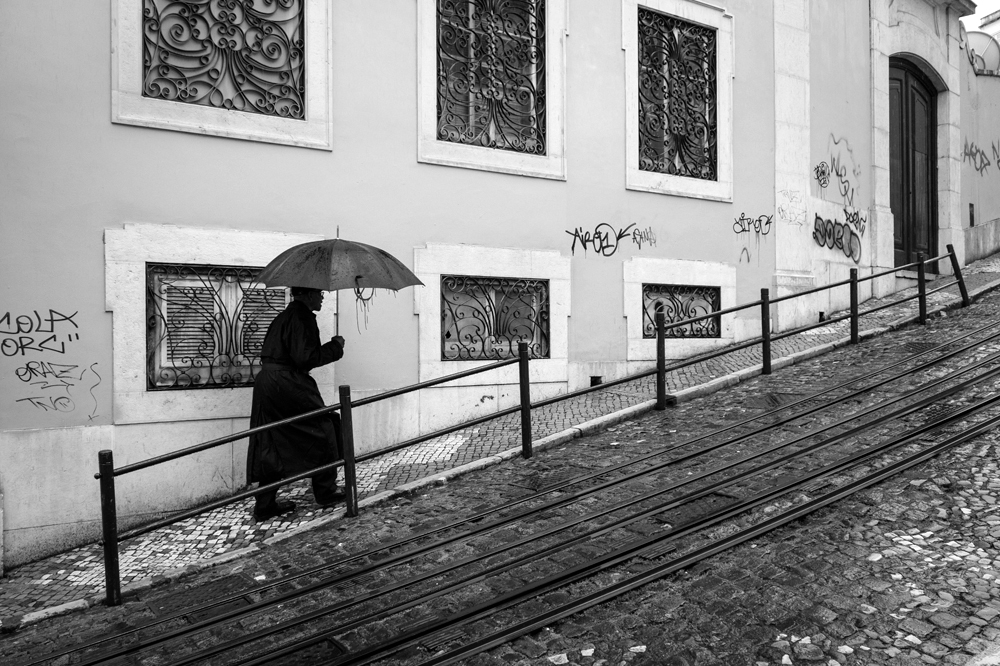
(491, 73)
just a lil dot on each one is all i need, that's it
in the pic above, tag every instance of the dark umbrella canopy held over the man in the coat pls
(334, 264)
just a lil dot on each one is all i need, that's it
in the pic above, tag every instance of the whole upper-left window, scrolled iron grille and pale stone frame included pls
(239, 68)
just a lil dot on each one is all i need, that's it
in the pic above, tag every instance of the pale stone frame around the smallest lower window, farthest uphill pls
(649, 270)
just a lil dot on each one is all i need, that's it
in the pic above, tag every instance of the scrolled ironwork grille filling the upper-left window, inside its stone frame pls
(244, 55)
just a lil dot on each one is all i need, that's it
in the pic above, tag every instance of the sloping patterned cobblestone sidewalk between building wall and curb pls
(75, 579)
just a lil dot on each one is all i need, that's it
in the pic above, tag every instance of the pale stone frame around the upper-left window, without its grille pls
(129, 107)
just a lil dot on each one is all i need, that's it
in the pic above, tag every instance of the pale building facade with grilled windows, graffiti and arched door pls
(553, 171)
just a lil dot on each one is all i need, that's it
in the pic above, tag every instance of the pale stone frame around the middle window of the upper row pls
(430, 150)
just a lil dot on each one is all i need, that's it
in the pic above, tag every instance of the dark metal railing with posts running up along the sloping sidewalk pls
(107, 471)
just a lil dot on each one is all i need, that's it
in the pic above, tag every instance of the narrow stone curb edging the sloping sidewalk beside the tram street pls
(12, 623)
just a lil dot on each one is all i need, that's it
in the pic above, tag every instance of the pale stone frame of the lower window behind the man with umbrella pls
(126, 252)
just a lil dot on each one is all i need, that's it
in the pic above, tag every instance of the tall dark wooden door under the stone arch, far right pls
(913, 161)
